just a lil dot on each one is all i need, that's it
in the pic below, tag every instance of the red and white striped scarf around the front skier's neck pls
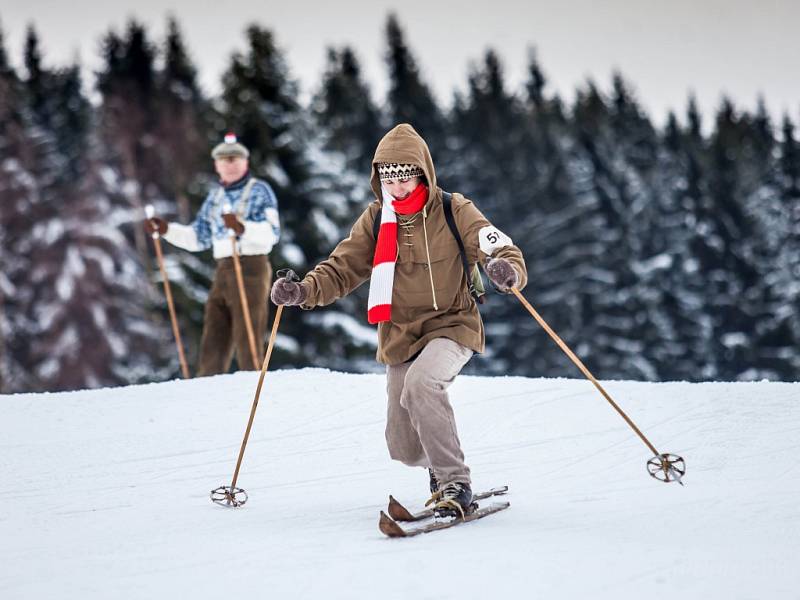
(379, 305)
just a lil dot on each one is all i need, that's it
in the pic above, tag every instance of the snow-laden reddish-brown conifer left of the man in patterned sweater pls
(92, 327)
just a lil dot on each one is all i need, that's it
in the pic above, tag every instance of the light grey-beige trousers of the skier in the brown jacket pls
(420, 425)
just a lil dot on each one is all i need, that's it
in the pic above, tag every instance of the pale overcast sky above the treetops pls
(664, 48)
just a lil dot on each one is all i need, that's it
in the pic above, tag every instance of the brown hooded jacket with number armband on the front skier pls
(415, 321)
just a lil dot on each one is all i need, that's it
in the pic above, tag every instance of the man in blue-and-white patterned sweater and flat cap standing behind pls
(247, 206)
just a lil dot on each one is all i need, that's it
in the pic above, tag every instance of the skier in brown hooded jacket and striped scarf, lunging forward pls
(428, 321)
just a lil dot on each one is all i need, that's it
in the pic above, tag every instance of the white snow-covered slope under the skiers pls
(106, 493)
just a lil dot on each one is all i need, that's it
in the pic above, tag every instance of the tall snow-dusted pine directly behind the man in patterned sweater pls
(259, 103)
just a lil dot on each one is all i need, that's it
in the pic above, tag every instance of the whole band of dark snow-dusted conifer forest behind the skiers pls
(657, 252)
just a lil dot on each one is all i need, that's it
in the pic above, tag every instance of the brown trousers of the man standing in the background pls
(223, 328)
